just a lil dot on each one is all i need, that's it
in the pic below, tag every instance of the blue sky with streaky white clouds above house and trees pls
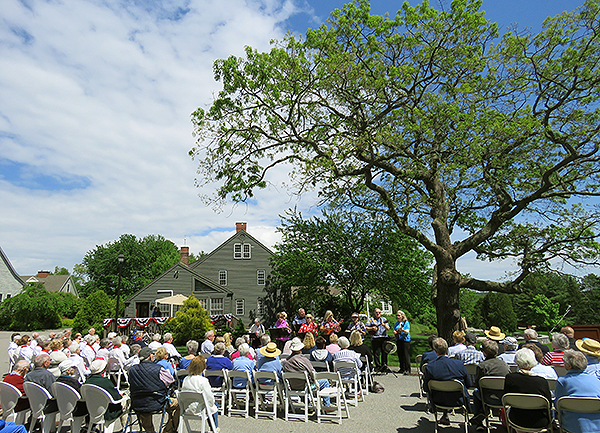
(95, 103)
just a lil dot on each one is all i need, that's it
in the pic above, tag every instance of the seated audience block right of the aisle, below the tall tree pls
(534, 364)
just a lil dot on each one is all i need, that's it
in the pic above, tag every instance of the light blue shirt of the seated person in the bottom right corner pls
(577, 383)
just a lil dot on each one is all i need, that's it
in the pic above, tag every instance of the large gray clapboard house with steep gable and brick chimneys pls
(229, 280)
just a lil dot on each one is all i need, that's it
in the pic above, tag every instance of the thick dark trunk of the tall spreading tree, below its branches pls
(446, 302)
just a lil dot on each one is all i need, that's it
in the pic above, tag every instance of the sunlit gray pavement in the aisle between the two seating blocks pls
(397, 410)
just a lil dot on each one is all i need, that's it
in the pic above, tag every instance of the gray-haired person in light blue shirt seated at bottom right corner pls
(577, 383)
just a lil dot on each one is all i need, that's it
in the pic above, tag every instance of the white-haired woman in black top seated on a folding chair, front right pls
(526, 382)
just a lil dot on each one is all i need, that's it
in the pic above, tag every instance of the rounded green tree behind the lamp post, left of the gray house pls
(145, 259)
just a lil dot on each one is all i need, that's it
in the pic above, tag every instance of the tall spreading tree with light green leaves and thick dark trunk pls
(426, 119)
